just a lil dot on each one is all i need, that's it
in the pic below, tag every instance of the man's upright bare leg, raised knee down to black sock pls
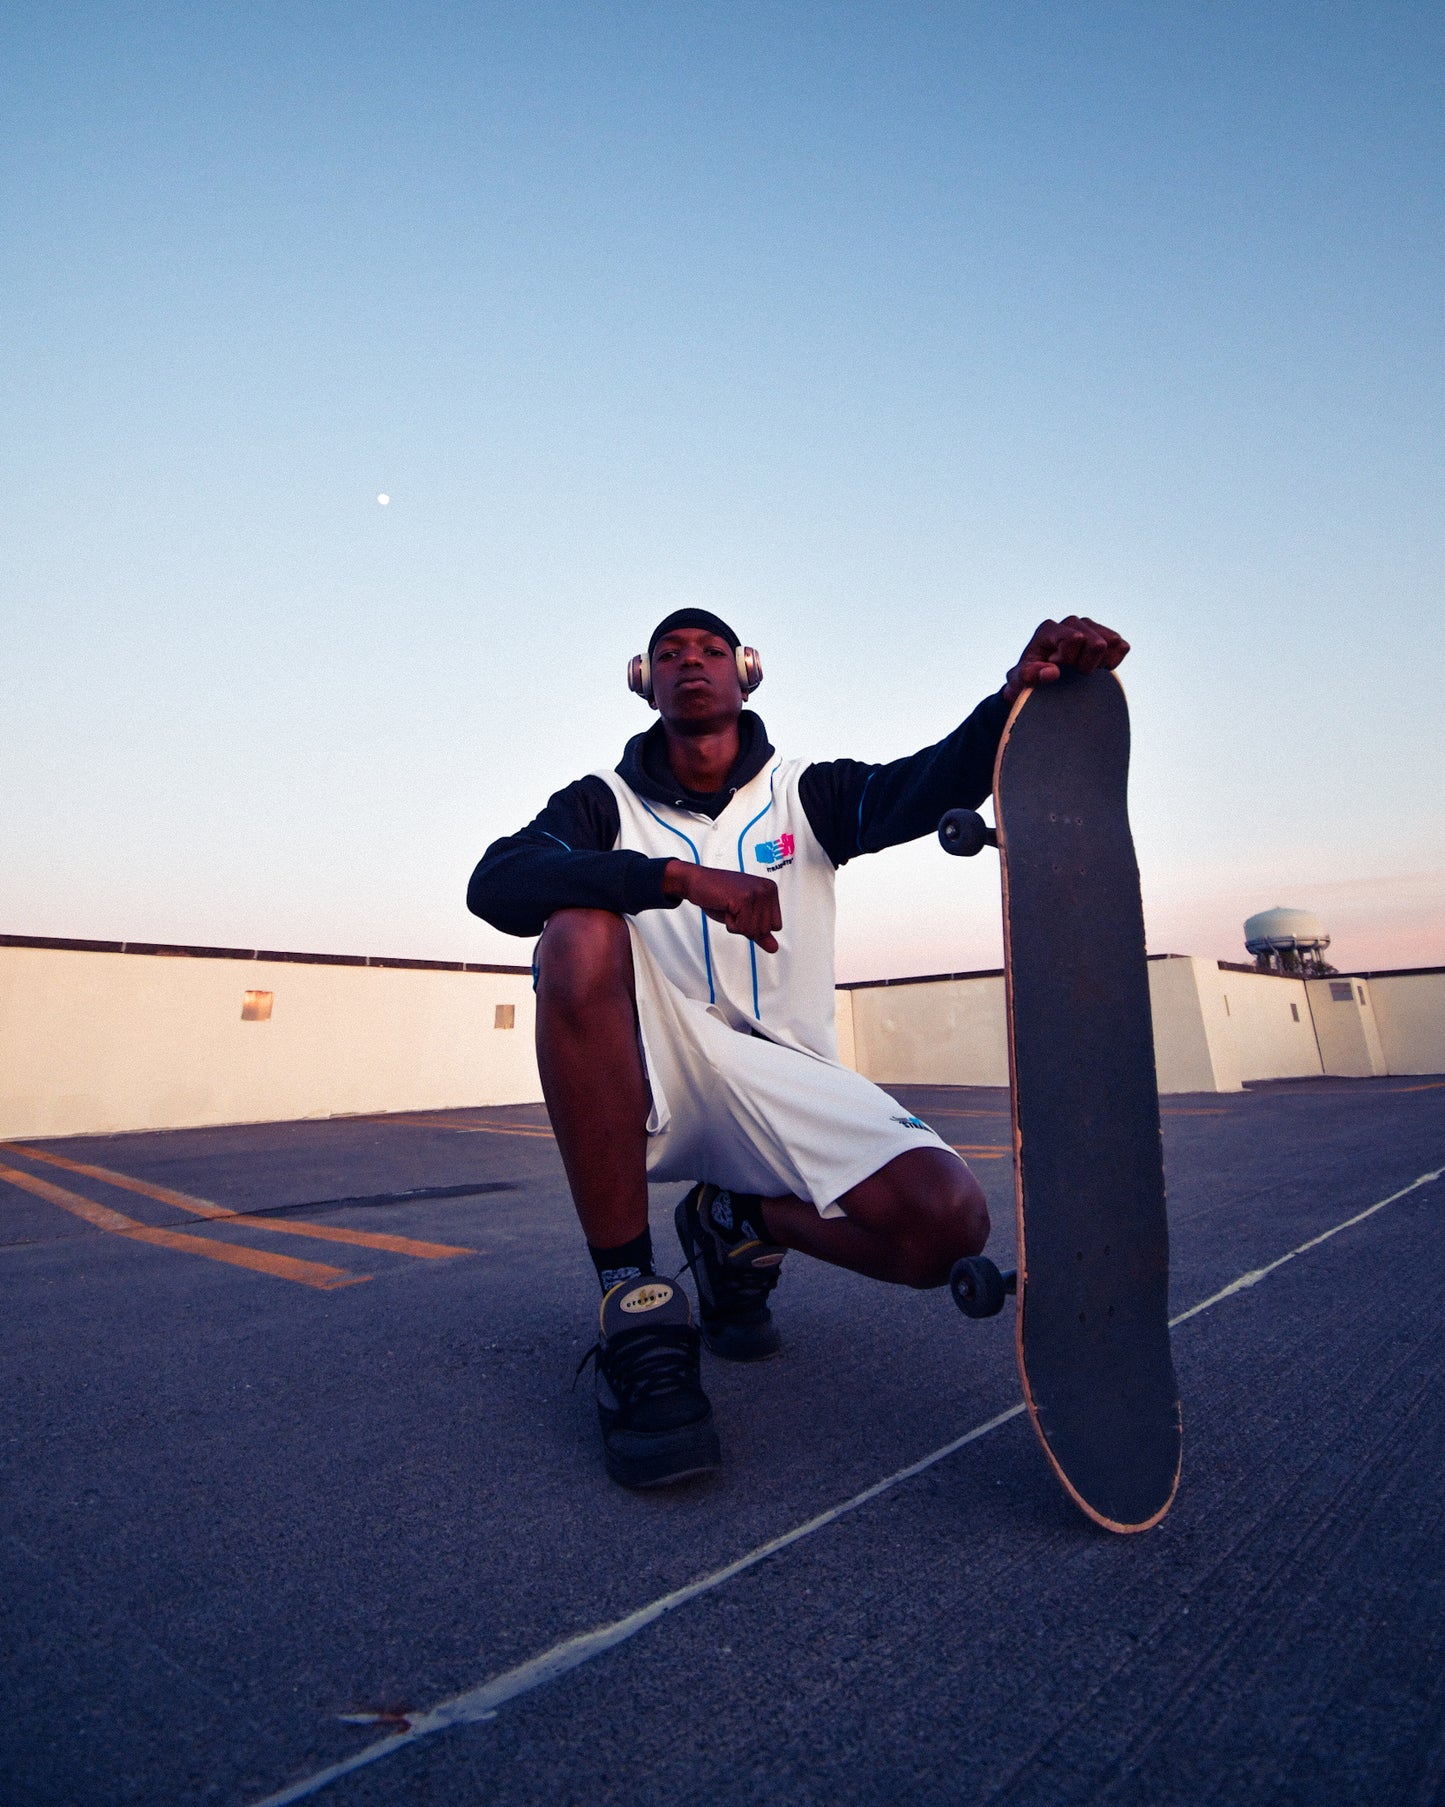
(593, 1071)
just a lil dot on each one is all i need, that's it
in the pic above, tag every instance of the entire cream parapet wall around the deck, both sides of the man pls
(95, 1040)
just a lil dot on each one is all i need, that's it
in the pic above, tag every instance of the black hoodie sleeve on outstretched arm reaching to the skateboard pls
(861, 809)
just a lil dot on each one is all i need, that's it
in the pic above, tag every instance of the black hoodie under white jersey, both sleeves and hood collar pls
(568, 859)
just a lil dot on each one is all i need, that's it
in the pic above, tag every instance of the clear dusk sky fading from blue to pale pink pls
(884, 330)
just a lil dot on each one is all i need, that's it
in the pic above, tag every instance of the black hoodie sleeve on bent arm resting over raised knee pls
(564, 859)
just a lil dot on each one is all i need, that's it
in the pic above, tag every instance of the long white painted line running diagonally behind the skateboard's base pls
(481, 1703)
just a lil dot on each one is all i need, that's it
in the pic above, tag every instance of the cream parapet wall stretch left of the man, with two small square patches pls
(104, 1042)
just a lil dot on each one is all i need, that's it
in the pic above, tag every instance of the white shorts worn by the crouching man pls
(747, 1114)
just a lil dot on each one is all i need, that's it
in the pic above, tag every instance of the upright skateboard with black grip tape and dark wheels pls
(1092, 1325)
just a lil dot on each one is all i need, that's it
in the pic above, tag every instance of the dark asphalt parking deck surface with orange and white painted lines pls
(281, 1486)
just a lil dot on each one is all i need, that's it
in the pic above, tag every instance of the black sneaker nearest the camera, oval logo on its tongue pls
(657, 1421)
